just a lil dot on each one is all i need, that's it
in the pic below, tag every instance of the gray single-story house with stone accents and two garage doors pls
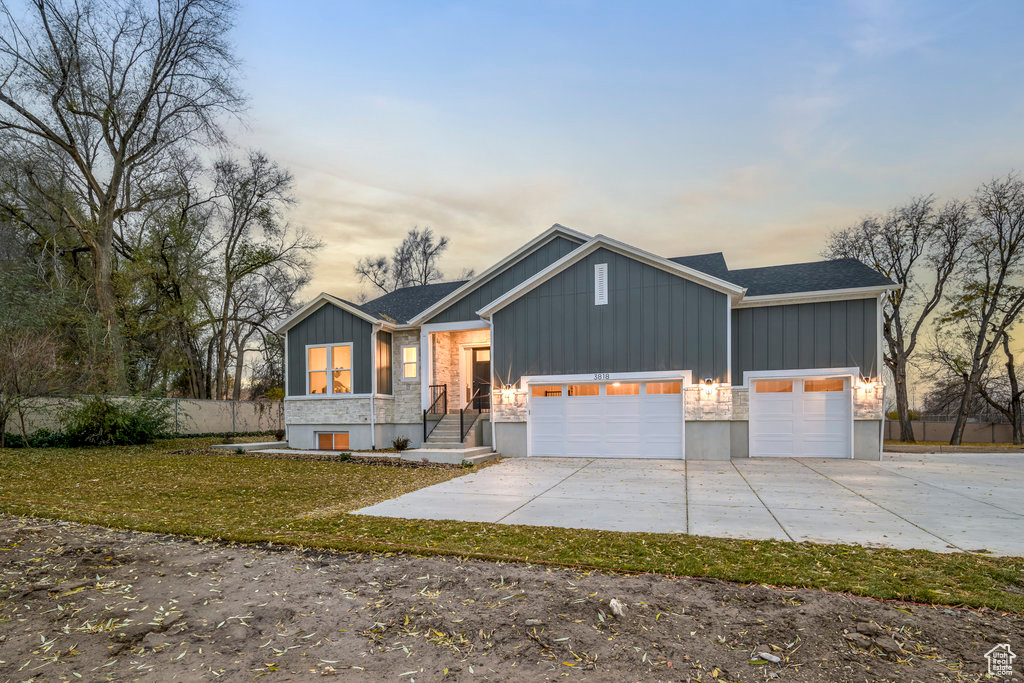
(587, 347)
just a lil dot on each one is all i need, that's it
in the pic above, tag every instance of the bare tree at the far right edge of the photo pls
(991, 290)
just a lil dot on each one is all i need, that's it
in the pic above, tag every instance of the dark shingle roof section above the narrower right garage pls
(815, 277)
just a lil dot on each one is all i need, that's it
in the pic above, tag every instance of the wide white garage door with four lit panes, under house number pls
(643, 419)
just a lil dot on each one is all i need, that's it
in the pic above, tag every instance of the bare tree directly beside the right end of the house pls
(919, 248)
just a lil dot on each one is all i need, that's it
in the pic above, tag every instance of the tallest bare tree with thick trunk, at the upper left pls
(100, 98)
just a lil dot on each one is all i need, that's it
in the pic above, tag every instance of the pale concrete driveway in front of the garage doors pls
(945, 503)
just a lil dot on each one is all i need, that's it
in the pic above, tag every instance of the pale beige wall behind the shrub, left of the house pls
(191, 416)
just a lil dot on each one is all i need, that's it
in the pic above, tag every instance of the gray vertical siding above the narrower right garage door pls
(829, 334)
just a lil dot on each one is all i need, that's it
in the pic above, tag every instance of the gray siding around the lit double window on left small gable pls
(329, 325)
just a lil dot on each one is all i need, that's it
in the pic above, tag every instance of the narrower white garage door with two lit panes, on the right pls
(801, 418)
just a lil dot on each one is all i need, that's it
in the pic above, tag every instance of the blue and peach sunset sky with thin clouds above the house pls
(751, 129)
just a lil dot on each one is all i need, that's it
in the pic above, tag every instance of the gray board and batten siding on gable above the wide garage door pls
(654, 321)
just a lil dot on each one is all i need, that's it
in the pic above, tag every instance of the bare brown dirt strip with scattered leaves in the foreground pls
(86, 604)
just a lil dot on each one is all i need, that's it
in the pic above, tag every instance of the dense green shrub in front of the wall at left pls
(100, 421)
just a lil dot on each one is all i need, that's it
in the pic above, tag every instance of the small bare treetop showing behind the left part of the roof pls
(413, 263)
